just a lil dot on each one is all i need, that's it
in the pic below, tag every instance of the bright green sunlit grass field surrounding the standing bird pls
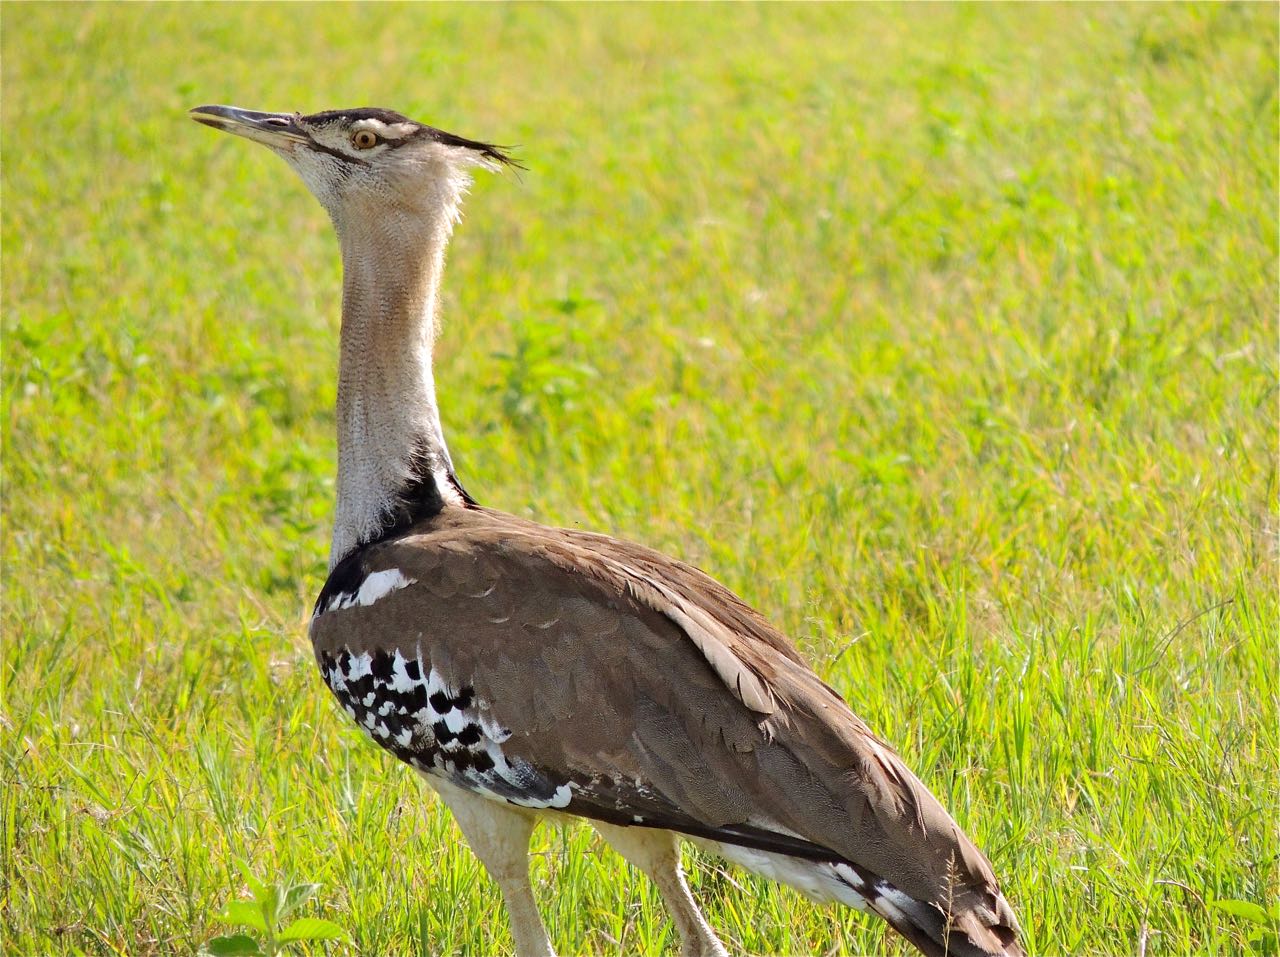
(947, 336)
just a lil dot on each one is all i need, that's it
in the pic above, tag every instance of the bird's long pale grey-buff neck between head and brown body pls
(394, 466)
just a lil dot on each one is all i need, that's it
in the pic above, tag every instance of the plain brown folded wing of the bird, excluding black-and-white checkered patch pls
(582, 647)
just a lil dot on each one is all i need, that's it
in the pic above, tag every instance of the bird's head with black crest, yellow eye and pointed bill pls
(365, 162)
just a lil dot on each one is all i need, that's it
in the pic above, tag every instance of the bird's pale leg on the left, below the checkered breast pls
(499, 836)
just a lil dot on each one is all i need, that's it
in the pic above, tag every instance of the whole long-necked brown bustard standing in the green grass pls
(534, 674)
